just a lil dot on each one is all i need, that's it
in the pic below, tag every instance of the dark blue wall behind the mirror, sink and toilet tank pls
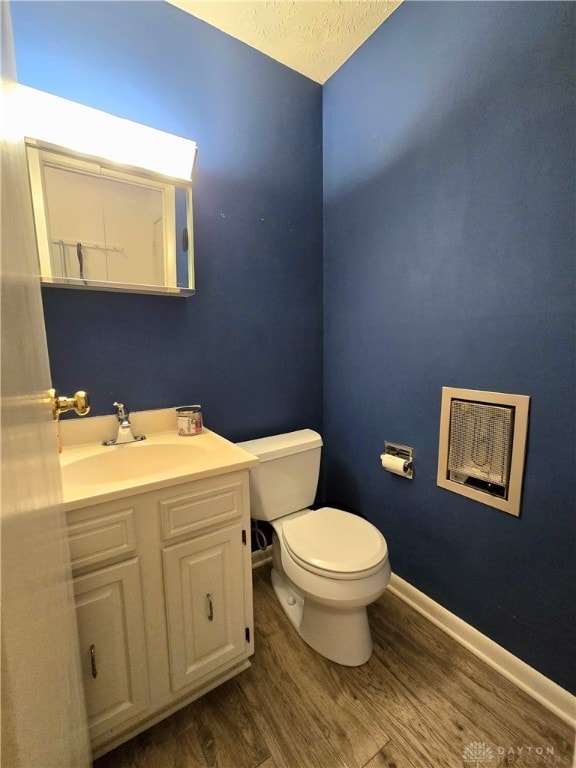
(248, 346)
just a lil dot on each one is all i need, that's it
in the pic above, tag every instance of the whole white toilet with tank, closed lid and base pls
(328, 565)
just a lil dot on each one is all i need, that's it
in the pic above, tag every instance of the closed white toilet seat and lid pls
(334, 543)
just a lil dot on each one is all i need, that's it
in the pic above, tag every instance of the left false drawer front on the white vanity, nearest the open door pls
(95, 537)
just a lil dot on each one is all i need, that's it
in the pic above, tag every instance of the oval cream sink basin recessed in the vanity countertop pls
(132, 462)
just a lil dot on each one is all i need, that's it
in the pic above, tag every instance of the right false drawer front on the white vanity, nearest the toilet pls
(209, 503)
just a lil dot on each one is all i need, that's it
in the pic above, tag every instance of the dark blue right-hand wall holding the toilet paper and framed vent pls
(449, 253)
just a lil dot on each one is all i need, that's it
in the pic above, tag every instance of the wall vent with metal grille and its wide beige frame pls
(483, 445)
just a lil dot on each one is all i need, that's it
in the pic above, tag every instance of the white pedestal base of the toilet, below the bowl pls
(341, 635)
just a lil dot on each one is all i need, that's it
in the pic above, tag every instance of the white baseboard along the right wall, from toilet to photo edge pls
(545, 691)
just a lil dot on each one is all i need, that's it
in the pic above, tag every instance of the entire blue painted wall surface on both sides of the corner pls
(448, 261)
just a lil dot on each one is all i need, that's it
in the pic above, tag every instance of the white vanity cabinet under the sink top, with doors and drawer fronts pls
(163, 588)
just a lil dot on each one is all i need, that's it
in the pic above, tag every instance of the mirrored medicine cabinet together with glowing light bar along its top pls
(112, 200)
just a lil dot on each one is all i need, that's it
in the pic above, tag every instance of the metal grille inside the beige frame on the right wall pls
(481, 441)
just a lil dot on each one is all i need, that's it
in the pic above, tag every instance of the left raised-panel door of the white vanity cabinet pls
(112, 645)
